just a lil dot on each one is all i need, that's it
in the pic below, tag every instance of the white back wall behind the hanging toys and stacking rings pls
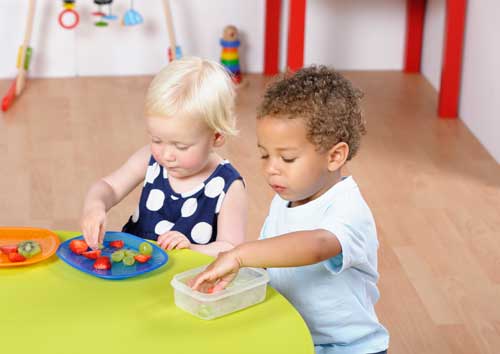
(348, 34)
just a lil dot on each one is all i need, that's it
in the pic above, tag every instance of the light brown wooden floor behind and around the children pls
(434, 191)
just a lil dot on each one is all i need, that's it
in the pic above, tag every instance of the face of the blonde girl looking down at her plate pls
(181, 144)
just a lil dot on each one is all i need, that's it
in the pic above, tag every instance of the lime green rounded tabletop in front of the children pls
(52, 308)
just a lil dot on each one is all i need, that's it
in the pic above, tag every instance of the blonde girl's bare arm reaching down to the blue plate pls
(109, 191)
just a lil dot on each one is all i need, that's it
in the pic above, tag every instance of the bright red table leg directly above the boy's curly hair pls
(295, 55)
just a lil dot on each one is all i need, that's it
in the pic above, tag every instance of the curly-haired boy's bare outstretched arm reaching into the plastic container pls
(290, 250)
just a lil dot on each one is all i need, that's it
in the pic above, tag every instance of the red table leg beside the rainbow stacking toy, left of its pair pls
(272, 33)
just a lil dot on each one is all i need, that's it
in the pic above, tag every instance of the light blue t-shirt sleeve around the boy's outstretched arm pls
(352, 232)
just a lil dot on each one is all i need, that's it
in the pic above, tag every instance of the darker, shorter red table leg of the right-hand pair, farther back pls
(415, 13)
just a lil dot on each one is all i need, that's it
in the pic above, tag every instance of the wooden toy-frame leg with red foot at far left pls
(23, 61)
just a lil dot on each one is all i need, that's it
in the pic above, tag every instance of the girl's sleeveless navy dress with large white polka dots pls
(192, 213)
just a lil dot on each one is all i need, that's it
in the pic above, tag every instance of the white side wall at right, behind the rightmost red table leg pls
(480, 89)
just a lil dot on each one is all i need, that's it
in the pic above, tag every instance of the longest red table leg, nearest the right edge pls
(452, 59)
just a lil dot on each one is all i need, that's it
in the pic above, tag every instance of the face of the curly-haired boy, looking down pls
(290, 163)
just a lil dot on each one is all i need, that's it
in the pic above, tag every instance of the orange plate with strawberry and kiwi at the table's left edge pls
(13, 235)
